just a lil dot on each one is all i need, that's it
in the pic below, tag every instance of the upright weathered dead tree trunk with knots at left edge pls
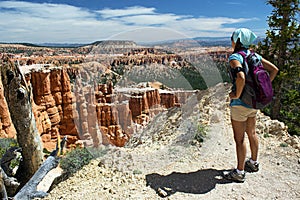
(18, 97)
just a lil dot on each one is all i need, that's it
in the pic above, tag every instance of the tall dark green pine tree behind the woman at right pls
(281, 47)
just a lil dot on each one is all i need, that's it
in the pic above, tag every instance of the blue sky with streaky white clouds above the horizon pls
(84, 21)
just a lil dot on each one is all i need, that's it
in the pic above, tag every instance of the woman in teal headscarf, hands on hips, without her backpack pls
(243, 116)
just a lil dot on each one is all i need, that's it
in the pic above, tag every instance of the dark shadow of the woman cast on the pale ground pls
(199, 182)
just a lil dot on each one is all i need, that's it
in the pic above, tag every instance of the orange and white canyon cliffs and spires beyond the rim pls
(70, 98)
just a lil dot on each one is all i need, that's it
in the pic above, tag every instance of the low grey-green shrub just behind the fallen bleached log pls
(75, 160)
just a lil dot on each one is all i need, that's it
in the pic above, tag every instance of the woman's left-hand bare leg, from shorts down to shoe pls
(239, 129)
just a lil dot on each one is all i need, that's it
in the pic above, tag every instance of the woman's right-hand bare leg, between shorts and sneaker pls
(253, 140)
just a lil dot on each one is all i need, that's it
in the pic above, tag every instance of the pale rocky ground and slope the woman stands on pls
(166, 162)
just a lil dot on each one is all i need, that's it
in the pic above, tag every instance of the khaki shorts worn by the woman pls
(241, 113)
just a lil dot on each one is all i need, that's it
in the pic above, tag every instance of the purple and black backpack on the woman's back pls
(258, 91)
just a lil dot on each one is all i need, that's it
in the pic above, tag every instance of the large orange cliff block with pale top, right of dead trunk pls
(53, 105)
